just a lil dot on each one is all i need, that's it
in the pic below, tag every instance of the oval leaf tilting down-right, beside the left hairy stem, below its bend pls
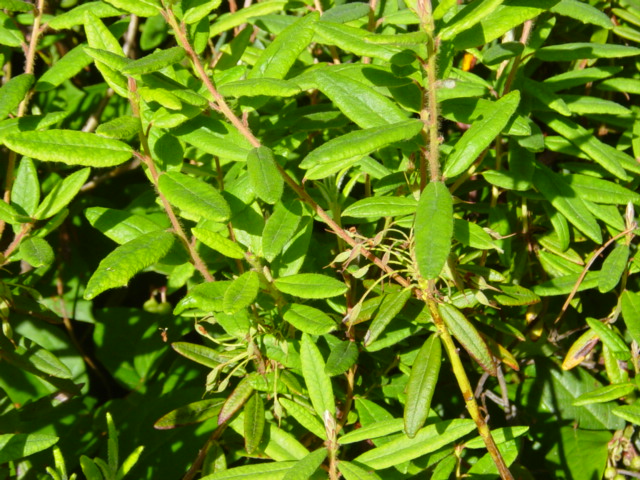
(194, 196)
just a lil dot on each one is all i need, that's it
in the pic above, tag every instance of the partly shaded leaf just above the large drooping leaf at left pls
(118, 225)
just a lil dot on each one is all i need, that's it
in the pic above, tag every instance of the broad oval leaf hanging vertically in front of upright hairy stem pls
(433, 229)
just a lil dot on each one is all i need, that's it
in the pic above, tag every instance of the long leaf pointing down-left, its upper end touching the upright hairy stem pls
(343, 151)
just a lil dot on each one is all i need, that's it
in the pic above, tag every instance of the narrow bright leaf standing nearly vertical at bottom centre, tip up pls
(317, 380)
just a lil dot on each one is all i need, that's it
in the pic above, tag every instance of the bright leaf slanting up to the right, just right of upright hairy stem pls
(480, 135)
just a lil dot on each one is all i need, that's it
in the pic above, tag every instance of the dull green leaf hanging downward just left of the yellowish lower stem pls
(422, 385)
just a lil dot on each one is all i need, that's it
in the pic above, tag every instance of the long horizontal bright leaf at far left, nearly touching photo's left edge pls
(70, 147)
